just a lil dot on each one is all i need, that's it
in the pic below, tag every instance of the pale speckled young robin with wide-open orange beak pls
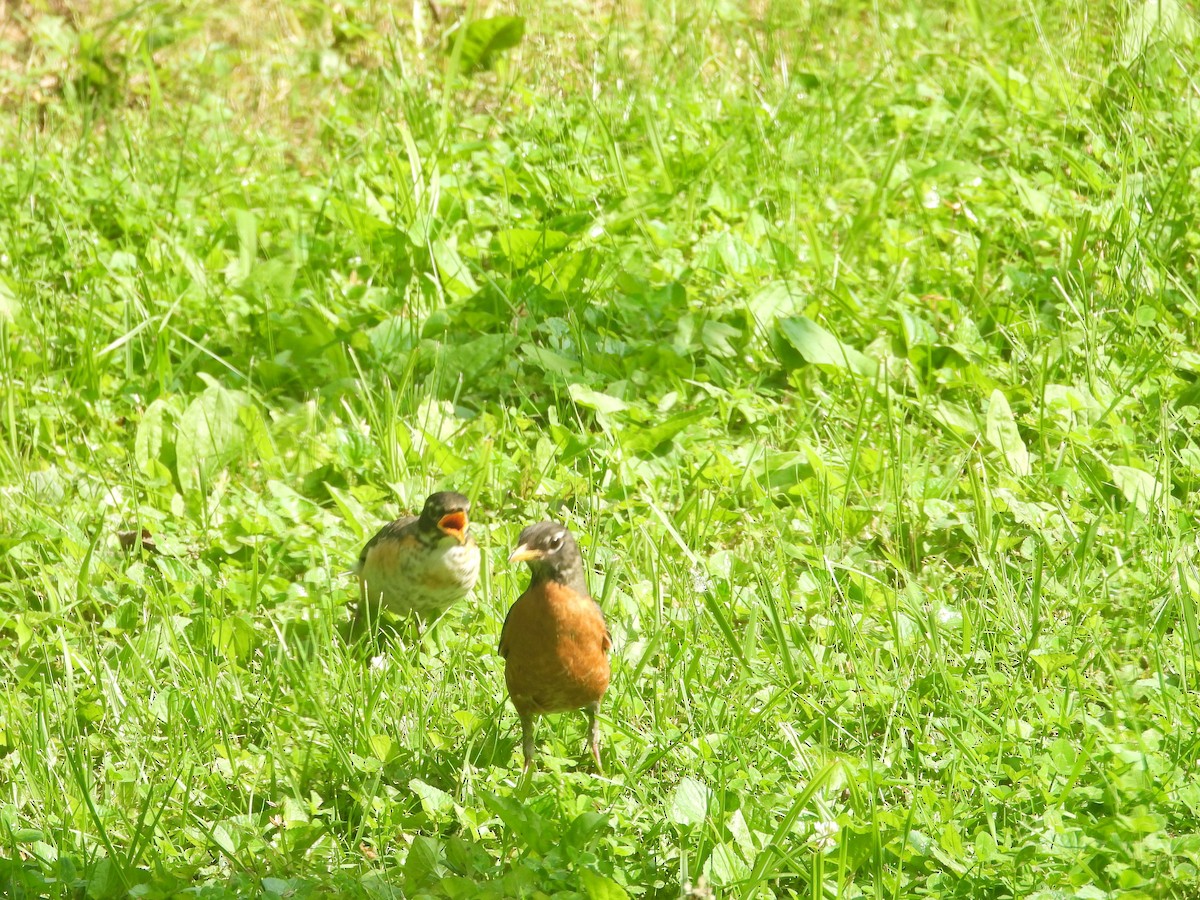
(419, 566)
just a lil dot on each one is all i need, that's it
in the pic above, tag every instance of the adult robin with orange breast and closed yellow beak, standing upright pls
(555, 643)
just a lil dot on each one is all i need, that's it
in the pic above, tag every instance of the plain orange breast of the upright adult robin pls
(556, 651)
